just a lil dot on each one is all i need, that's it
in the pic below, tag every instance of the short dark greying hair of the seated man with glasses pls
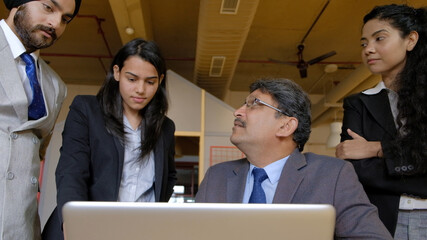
(292, 100)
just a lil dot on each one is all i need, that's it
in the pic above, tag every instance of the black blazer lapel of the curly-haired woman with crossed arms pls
(378, 106)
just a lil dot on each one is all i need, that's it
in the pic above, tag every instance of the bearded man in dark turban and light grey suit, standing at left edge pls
(31, 95)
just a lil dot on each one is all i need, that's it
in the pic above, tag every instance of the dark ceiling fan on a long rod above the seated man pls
(301, 64)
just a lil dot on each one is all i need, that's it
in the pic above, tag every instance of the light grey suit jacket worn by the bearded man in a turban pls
(22, 142)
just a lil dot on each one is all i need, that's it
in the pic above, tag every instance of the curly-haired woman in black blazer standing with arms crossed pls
(385, 128)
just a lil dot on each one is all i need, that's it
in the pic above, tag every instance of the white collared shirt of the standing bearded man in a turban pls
(17, 49)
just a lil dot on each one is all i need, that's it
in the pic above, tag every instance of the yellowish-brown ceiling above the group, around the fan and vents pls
(190, 32)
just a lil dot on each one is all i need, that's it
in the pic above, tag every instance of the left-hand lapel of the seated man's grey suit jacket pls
(236, 183)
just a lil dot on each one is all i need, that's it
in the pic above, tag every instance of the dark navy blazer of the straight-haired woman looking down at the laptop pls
(91, 162)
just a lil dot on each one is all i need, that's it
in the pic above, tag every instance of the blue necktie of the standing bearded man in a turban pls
(36, 109)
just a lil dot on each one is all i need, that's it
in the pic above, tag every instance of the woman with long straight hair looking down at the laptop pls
(118, 145)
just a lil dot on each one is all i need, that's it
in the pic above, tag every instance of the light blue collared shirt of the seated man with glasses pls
(269, 185)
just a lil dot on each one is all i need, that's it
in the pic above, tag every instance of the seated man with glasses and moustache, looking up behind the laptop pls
(271, 129)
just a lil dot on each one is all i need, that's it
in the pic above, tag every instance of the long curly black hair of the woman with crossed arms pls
(411, 142)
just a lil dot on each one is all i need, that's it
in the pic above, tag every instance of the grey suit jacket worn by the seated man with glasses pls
(306, 178)
